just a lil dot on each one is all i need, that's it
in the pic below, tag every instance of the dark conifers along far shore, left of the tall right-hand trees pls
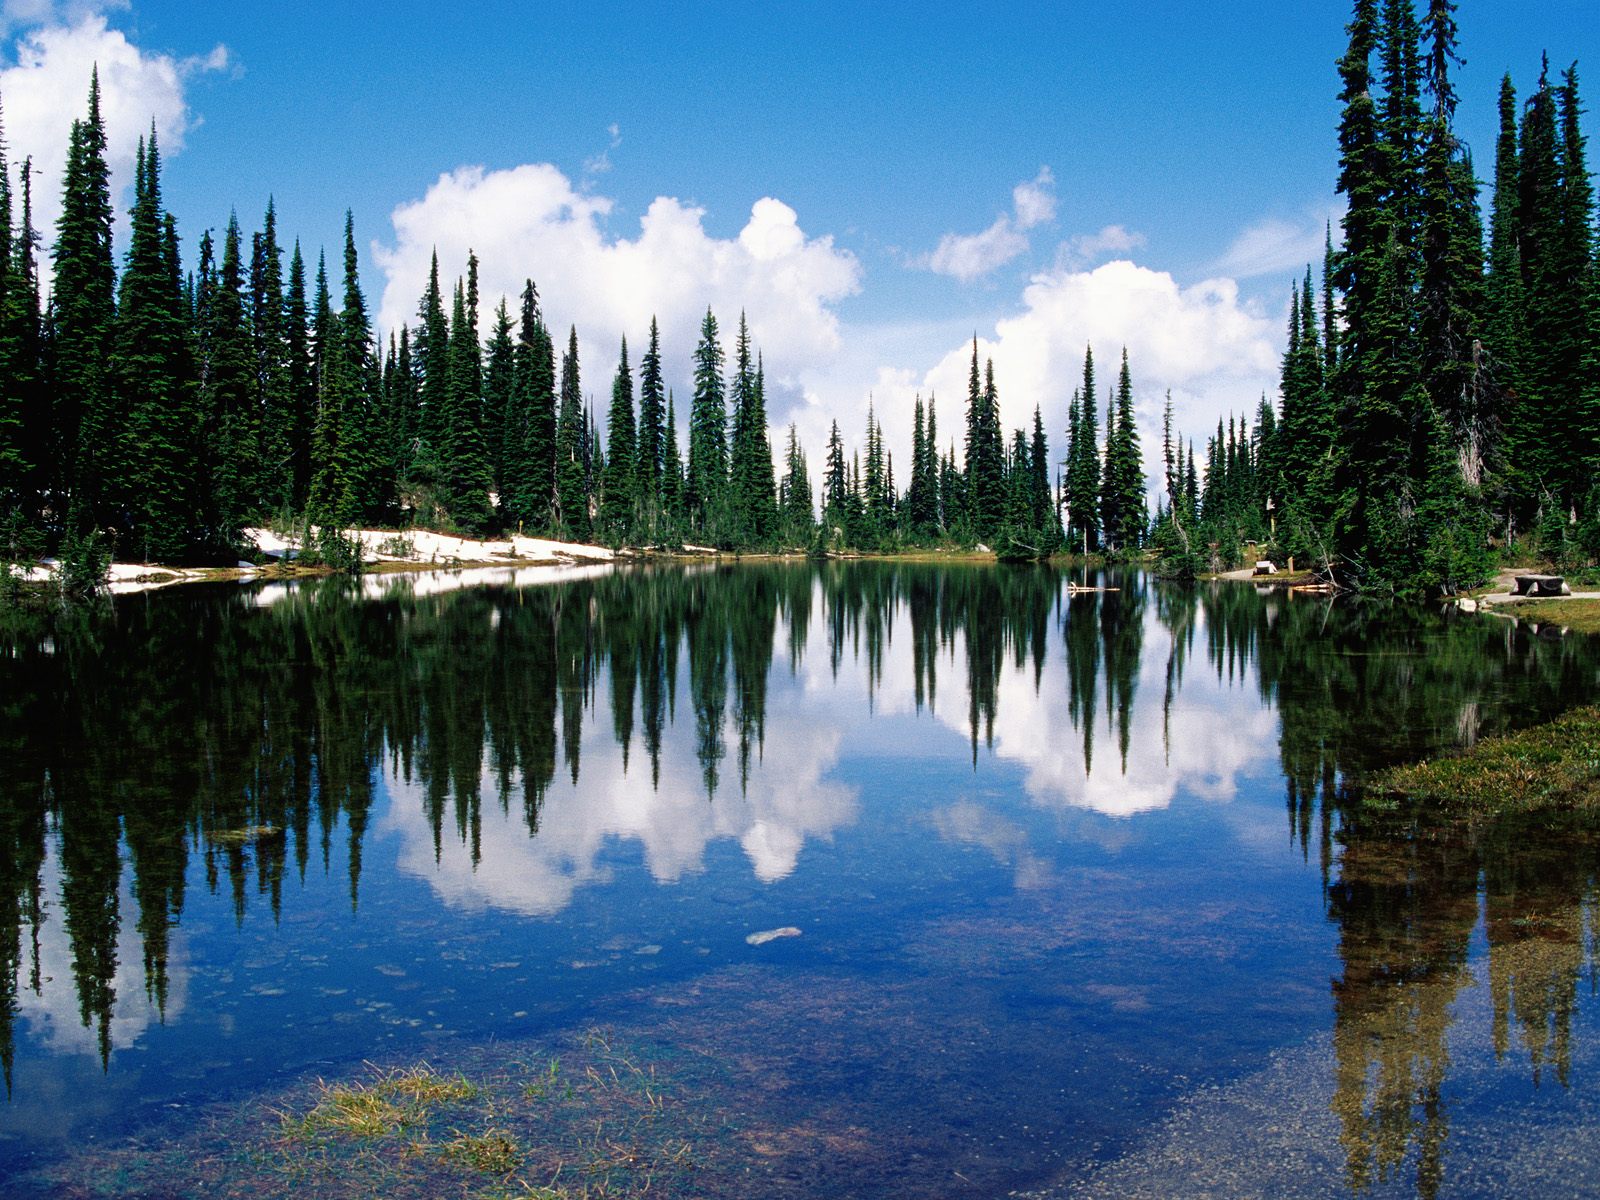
(161, 412)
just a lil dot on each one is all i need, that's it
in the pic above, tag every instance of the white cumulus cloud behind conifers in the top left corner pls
(47, 89)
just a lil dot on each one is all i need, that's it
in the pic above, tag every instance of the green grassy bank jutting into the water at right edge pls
(1548, 767)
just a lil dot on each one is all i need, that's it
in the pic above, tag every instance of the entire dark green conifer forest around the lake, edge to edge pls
(1439, 402)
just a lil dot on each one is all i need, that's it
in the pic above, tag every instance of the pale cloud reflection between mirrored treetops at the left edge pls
(54, 1012)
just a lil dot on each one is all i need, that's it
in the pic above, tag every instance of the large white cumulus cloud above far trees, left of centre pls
(532, 222)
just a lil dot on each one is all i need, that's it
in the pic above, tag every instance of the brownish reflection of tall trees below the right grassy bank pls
(1407, 905)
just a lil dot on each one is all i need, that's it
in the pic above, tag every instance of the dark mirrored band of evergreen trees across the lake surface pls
(204, 734)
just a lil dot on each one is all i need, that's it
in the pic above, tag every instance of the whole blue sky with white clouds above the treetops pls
(1039, 175)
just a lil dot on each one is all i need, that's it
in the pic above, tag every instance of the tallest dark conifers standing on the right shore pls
(1441, 394)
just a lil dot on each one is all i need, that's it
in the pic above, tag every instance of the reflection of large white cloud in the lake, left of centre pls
(788, 801)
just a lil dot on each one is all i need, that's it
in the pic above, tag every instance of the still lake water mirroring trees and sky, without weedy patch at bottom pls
(1081, 906)
